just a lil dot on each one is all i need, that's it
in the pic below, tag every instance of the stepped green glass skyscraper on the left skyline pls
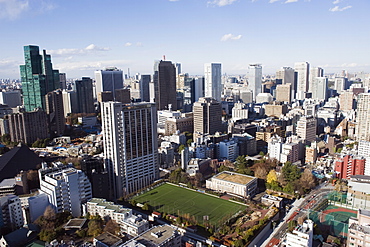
(38, 77)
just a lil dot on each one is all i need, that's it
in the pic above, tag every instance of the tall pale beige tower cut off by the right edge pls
(362, 128)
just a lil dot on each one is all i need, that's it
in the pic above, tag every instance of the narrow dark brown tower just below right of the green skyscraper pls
(55, 112)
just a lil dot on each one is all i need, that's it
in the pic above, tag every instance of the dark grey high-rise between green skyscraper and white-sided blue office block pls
(84, 93)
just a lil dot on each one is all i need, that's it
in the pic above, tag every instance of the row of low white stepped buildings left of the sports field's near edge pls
(129, 223)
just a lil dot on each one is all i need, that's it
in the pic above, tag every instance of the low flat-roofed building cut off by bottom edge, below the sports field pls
(158, 236)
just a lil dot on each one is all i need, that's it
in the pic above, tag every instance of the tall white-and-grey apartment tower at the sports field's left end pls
(130, 146)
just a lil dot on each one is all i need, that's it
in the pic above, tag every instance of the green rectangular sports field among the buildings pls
(171, 199)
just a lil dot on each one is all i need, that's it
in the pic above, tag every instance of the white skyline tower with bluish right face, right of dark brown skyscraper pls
(212, 81)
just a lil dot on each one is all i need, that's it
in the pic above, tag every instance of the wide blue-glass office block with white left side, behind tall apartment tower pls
(109, 79)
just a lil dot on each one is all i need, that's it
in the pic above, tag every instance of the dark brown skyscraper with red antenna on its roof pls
(164, 79)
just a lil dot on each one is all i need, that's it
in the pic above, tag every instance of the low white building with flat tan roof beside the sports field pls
(233, 183)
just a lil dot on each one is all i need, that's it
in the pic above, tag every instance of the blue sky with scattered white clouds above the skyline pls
(86, 35)
